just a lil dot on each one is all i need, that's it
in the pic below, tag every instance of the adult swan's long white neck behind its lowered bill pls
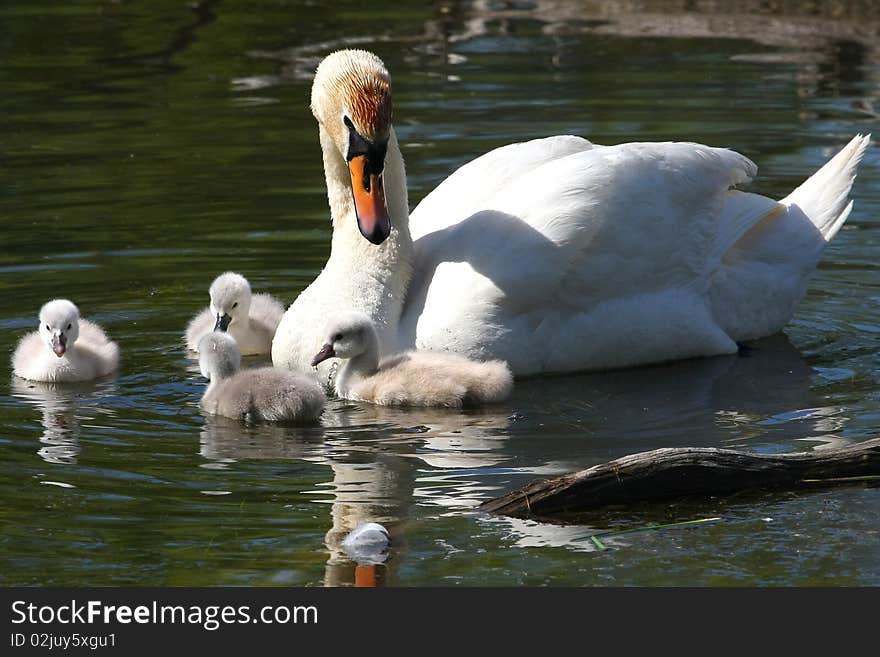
(380, 273)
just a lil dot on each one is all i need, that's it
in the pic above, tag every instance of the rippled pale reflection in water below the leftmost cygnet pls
(58, 404)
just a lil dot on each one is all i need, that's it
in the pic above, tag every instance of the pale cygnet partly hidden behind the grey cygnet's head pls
(251, 319)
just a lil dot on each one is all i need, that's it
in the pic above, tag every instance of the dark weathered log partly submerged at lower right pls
(670, 473)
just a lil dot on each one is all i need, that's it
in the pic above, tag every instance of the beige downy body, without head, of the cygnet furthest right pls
(418, 378)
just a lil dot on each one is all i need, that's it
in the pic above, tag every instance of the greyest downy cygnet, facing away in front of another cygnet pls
(261, 393)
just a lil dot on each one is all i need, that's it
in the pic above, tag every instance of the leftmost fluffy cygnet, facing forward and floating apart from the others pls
(65, 348)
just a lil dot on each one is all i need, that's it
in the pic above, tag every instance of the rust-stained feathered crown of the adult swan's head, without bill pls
(353, 84)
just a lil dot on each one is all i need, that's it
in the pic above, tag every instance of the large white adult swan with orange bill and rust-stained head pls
(555, 255)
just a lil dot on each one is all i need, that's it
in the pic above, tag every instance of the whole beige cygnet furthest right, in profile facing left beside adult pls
(411, 378)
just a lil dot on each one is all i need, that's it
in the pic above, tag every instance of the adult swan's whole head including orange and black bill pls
(351, 99)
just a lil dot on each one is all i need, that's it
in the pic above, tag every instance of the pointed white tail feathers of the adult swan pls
(824, 196)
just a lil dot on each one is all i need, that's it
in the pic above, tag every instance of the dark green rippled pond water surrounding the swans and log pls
(148, 147)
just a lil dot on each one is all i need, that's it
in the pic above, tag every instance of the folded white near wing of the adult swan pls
(604, 221)
